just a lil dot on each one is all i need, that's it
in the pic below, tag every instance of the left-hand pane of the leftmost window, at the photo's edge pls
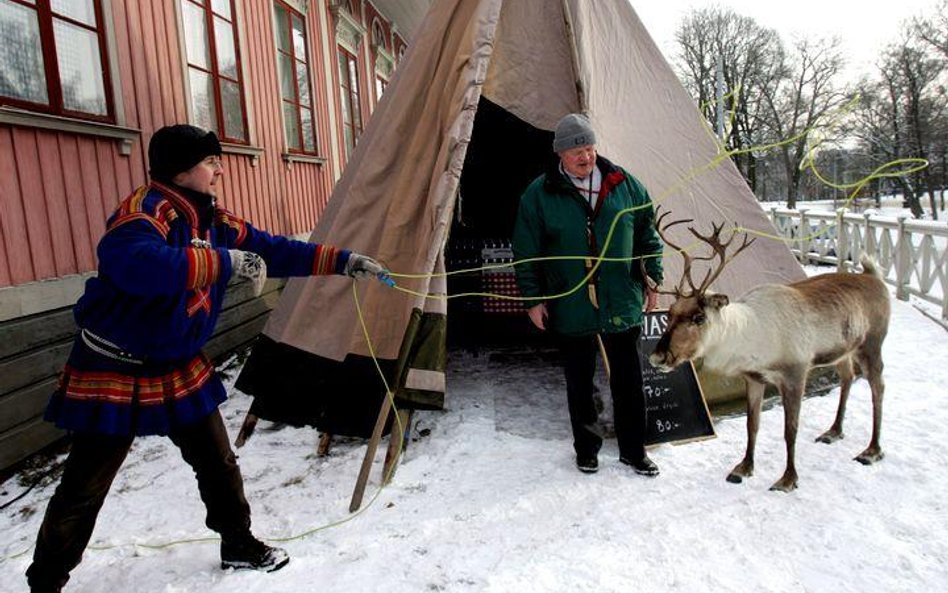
(22, 74)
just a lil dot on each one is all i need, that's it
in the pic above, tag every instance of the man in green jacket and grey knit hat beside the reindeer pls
(583, 207)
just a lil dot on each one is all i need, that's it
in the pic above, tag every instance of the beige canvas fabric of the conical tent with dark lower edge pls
(535, 61)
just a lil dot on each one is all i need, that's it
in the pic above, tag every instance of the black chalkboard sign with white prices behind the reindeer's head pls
(676, 408)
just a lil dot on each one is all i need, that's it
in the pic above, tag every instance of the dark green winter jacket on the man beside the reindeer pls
(552, 220)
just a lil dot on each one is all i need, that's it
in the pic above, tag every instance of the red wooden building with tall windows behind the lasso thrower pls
(287, 85)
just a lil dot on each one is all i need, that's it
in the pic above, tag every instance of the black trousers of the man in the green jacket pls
(625, 383)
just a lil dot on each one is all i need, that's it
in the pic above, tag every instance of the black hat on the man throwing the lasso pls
(175, 149)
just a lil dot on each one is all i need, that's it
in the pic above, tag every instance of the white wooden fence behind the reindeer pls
(912, 254)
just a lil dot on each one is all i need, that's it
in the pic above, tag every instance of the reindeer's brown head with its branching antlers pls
(695, 309)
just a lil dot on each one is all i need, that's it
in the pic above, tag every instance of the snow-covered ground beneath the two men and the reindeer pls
(488, 499)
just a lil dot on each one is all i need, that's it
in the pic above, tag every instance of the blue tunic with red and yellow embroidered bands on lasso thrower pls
(136, 367)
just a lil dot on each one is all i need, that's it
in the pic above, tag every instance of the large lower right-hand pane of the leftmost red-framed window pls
(80, 68)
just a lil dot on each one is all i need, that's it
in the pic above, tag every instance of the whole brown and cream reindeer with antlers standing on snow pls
(774, 334)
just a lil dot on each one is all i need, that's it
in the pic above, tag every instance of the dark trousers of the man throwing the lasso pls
(90, 468)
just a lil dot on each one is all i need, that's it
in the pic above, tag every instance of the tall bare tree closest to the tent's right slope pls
(751, 56)
